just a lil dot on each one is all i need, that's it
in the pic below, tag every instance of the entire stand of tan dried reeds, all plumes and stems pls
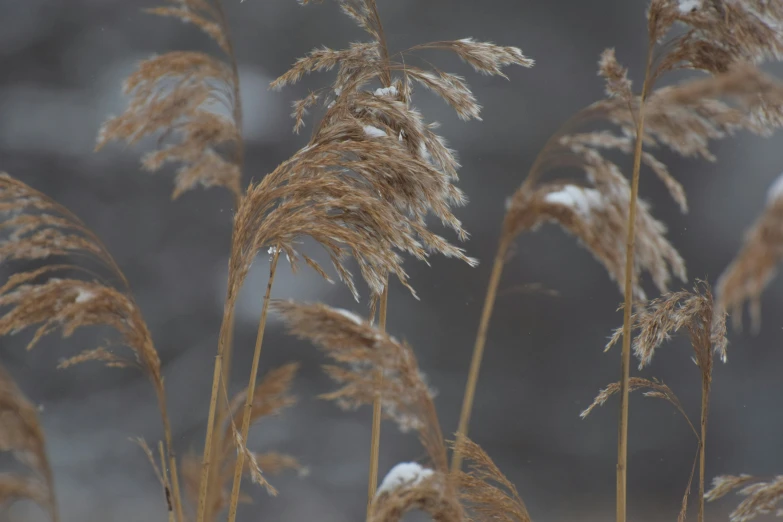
(370, 175)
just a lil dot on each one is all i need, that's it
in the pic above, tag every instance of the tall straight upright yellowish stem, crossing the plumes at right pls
(630, 245)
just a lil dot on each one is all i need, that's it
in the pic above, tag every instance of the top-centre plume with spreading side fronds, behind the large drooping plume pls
(377, 135)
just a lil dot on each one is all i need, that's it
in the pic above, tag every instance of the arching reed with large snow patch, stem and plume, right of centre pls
(684, 118)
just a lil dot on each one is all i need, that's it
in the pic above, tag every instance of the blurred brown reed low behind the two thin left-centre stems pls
(271, 396)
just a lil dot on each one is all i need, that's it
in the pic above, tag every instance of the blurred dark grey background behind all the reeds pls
(62, 64)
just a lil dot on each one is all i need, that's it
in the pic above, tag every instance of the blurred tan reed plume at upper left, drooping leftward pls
(191, 101)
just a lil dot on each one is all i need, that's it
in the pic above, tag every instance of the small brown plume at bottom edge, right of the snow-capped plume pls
(485, 490)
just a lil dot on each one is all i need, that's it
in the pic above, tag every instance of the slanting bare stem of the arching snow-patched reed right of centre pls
(478, 349)
